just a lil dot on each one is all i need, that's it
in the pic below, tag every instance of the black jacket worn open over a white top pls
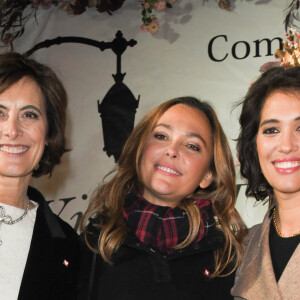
(46, 277)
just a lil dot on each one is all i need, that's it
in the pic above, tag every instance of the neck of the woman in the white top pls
(13, 191)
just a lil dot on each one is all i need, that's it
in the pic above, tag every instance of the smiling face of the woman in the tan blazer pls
(278, 142)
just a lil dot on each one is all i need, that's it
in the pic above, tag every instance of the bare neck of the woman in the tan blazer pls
(288, 214)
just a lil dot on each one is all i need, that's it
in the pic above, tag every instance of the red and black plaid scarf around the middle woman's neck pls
(162, 227)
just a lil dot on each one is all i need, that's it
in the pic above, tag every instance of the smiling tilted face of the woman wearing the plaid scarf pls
(177, 156)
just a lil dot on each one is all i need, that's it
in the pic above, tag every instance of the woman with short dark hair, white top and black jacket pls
(40, 254)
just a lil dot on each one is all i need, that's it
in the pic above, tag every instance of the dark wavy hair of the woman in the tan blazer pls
(275, 79)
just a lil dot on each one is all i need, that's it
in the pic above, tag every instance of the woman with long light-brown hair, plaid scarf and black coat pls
(165, 226)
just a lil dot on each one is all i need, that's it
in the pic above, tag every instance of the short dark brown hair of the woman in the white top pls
(13, 67)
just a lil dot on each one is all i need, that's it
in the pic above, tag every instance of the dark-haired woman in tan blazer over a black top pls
(269, 152)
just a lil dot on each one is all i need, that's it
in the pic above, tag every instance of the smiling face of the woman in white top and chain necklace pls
(23, 126)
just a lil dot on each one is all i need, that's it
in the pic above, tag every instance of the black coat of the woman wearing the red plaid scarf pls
(139, 272)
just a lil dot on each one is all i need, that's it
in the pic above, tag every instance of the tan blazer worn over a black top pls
(255, 278)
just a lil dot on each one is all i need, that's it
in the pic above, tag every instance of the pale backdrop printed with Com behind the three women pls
(200, 50)
